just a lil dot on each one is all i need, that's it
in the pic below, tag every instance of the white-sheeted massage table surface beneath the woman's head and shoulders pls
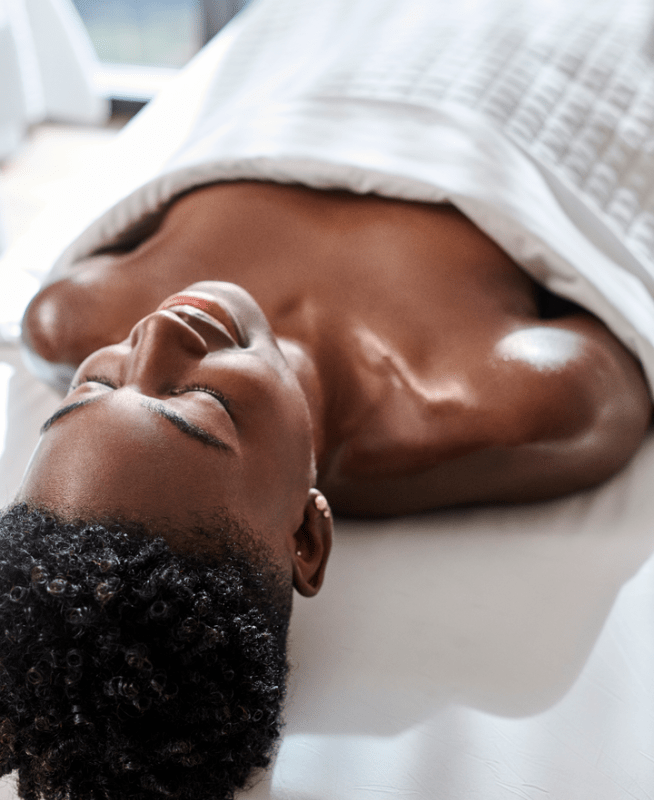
(486, 654)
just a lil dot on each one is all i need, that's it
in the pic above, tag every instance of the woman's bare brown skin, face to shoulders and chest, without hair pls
(417, 370)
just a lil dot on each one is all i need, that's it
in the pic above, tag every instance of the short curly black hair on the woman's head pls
(130, 670)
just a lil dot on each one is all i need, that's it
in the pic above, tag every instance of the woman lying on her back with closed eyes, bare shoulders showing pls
(248, 360)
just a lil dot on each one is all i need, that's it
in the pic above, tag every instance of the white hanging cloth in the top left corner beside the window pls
(47, 66)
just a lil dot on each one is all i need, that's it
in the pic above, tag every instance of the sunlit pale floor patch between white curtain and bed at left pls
(28, 180)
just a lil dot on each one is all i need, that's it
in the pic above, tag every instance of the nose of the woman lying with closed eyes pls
(162, 347)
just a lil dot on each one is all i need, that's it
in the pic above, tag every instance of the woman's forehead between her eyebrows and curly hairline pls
(116, 455)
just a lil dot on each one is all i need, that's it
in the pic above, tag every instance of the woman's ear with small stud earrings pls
(312, 543)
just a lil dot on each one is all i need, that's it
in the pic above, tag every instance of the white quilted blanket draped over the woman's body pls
(535, 118)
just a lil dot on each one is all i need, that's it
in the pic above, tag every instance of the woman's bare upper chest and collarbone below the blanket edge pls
(394, 300)
